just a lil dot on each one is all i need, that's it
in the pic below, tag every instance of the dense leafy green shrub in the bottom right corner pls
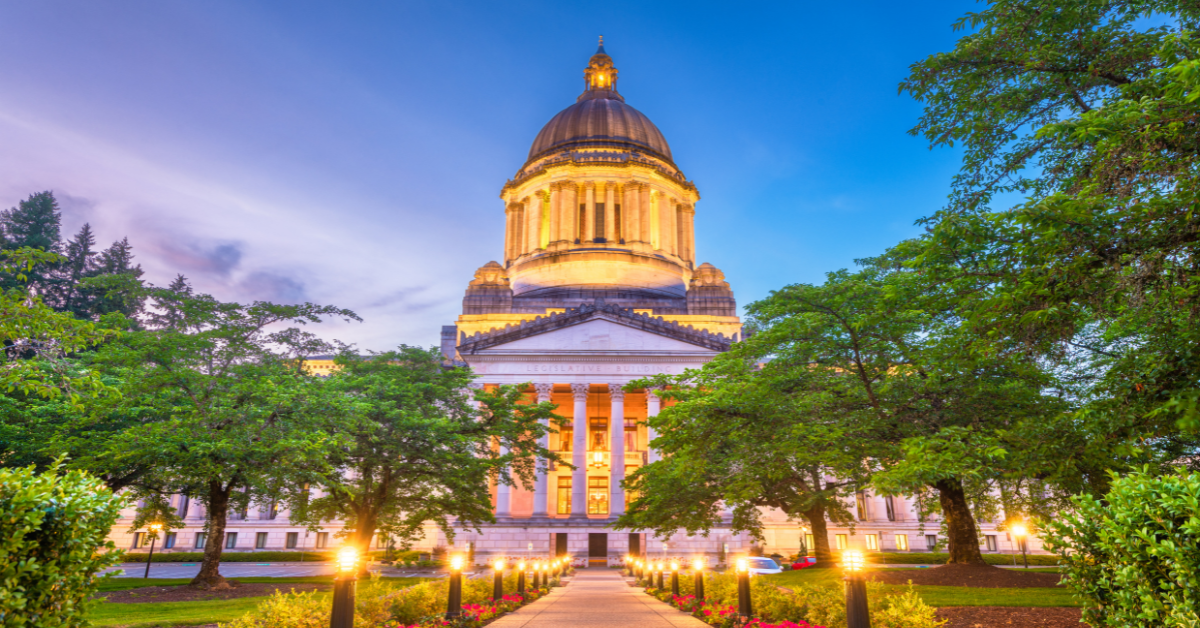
(1136, 558)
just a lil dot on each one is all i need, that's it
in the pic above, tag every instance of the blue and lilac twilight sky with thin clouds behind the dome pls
(353, 153)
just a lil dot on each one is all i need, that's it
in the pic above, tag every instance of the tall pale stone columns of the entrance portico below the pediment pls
(580, 452)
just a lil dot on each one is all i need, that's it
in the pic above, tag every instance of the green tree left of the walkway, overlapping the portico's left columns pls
(421, 447)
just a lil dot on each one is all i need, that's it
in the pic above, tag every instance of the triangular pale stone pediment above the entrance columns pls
(597, 336)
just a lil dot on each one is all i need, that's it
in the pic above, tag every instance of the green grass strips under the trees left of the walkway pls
(189, 613)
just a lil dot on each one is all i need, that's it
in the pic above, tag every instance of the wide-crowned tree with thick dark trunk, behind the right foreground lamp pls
(897, 363)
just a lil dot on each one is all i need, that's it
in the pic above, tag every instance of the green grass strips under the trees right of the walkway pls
(946, 596)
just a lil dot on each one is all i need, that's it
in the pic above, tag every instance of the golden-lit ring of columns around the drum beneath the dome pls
(601, 212)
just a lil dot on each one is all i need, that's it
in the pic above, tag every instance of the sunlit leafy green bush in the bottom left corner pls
(52, 528)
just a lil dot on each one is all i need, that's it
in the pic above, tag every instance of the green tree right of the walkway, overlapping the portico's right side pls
(746, 435)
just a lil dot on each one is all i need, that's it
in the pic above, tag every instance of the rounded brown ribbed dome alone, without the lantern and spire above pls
(601, 123)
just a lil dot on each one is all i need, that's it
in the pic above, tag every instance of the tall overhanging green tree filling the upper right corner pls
(1076, 208)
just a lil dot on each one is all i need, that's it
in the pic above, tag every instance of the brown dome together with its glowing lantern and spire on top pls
(601, 118)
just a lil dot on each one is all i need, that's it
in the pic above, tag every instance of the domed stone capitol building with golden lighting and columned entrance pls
(597, 285)
